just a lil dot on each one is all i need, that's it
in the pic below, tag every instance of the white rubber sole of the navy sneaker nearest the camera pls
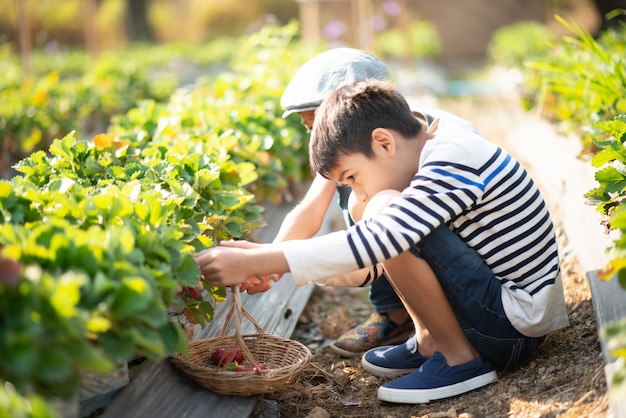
(415, 396)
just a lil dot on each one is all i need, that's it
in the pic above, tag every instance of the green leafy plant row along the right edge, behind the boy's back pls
(579, 82)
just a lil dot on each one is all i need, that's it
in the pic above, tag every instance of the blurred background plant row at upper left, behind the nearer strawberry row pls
(68, 90)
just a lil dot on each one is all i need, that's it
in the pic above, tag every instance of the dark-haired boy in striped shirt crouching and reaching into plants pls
(460, 228)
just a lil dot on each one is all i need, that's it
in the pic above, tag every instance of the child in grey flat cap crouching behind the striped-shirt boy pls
(317, 78)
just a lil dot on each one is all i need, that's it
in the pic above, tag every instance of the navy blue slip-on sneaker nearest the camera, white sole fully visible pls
(436, 380)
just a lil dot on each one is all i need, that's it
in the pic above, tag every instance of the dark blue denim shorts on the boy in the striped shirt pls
(475, 296)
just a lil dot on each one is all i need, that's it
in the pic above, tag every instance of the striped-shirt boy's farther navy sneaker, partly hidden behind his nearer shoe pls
(393, 360)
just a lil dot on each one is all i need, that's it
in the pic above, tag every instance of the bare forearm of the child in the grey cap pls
(305, 220)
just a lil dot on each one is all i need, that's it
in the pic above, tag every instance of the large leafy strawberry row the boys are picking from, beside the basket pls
(105, 229)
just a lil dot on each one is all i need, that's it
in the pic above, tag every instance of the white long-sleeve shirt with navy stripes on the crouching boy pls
(487, 198)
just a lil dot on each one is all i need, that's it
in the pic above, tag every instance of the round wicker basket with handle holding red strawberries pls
(282, 357)
